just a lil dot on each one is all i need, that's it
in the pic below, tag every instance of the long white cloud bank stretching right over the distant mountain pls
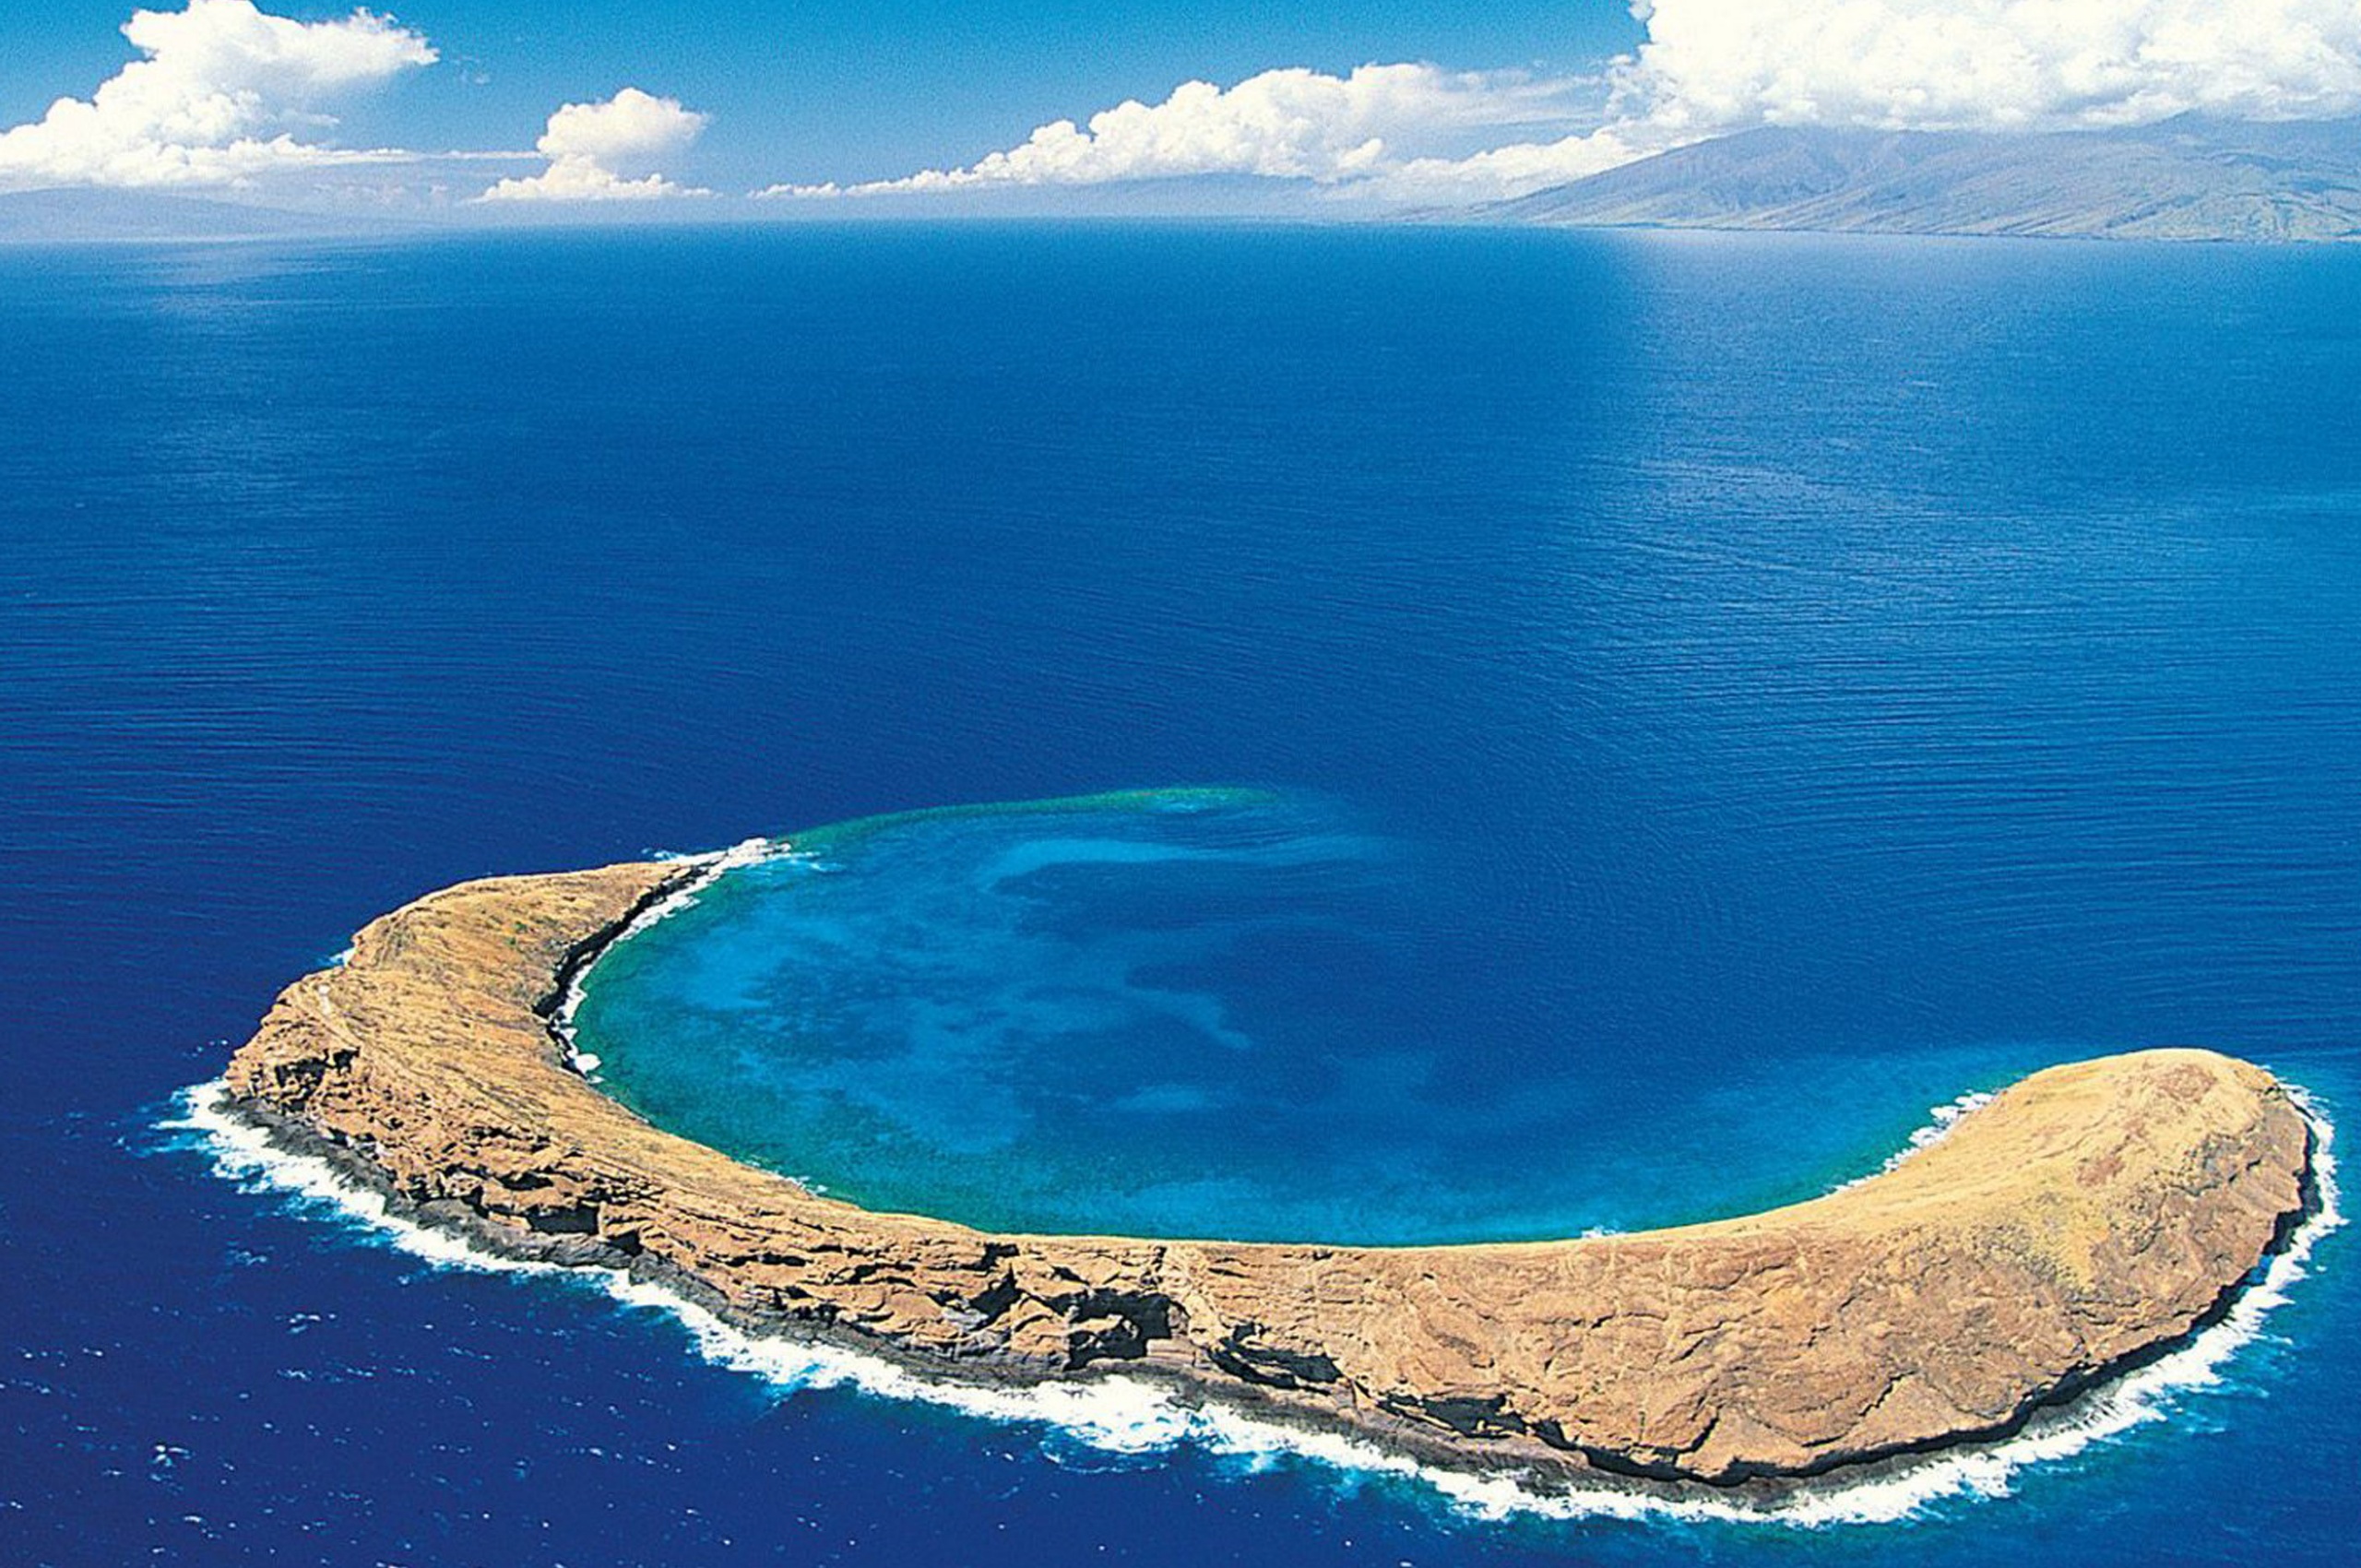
(1711, 67)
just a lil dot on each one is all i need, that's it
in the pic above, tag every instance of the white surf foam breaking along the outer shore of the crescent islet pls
(1130, 1416)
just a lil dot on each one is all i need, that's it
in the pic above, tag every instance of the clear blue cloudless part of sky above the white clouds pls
(837, 89)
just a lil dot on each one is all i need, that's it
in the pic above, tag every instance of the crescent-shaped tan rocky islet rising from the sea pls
(2079, 1222)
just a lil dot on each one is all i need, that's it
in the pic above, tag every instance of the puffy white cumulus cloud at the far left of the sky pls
(223, 93)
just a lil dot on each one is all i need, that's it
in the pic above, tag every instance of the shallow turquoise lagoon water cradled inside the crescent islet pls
(1186, 1012)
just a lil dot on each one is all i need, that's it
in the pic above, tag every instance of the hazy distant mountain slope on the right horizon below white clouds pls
(2185, 178)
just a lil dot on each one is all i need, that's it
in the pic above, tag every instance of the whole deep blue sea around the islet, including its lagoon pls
(1633, 724)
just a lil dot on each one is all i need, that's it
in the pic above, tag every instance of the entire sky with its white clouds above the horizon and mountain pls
(993, 107)
